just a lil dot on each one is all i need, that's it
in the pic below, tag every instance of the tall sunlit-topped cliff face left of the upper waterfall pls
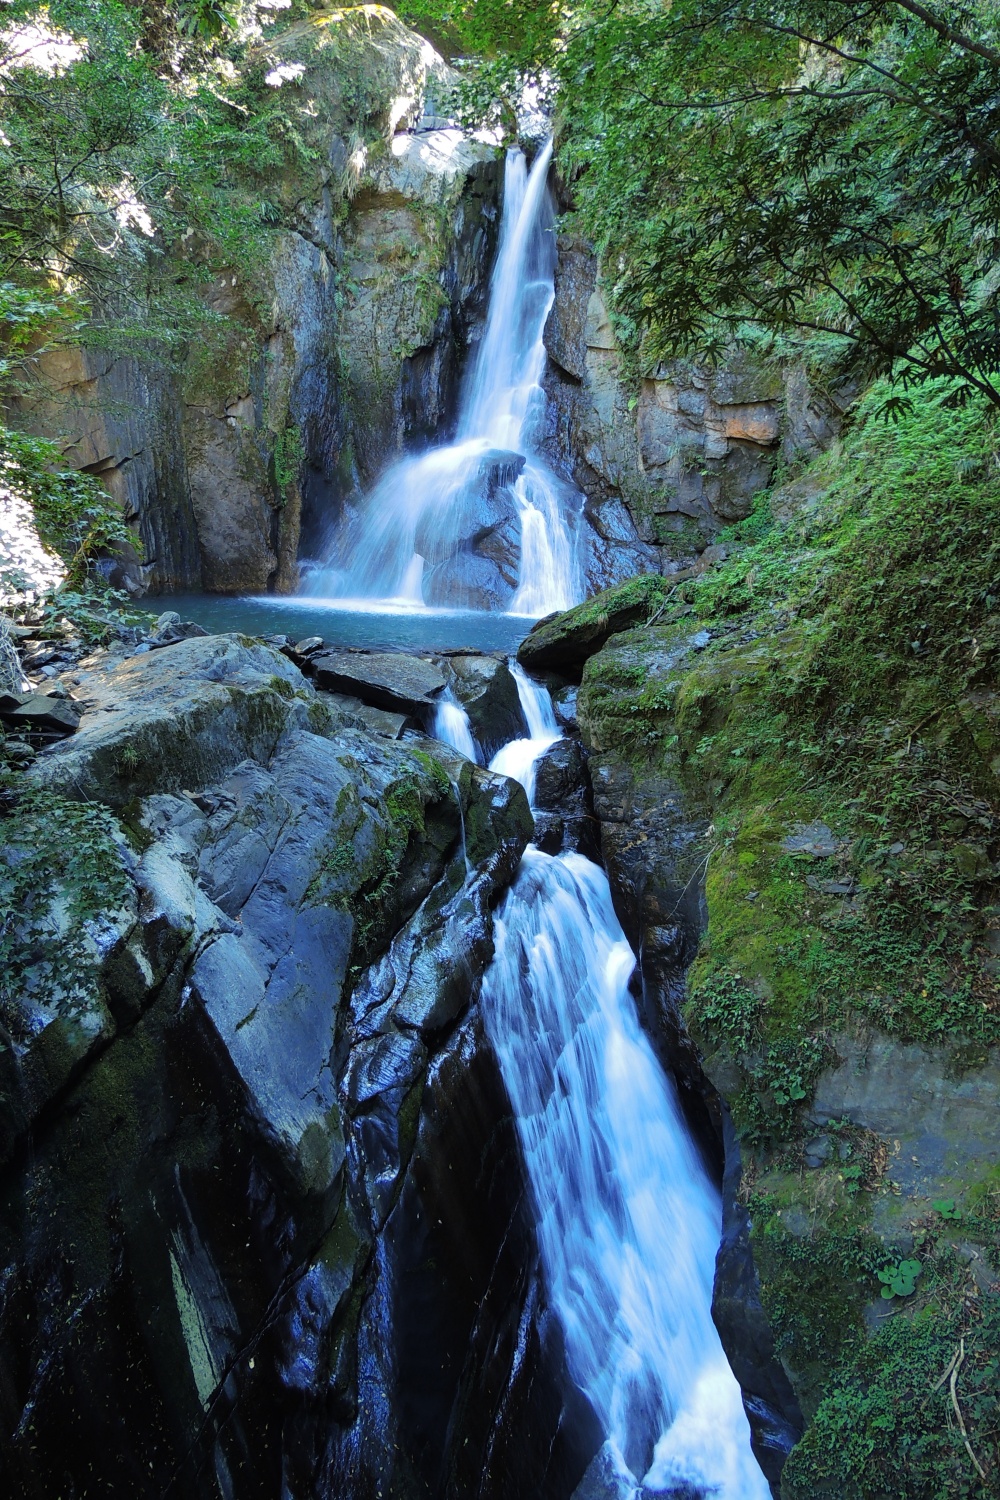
(335, 353)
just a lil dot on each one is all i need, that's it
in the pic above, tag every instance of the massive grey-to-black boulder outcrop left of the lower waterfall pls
(256, 1156)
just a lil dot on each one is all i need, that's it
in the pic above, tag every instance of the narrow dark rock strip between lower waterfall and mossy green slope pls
(654, 848)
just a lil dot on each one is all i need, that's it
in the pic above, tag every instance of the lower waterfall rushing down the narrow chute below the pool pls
(629, 1223)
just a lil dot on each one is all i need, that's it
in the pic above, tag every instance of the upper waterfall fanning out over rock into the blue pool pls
(481, 523)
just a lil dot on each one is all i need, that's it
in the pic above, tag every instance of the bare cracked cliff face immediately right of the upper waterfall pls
(672, 457)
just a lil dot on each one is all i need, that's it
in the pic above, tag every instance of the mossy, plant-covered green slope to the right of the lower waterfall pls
(827, 698)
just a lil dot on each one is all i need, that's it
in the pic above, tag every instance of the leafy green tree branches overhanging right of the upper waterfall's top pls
(815, 176)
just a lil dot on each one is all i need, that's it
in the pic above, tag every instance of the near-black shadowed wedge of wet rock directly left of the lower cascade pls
(457, 1334)
